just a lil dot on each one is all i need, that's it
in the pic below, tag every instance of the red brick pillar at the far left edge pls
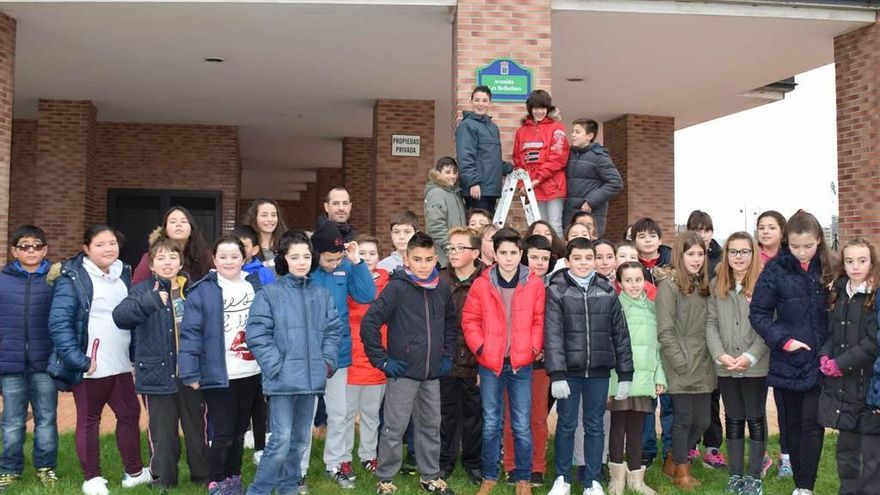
(7, 86)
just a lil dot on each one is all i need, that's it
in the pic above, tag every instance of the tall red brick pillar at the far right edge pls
(857, 65)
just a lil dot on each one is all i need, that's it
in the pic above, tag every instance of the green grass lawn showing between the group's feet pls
(70, 477)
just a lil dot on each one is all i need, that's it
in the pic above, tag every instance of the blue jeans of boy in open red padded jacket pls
(519, 394)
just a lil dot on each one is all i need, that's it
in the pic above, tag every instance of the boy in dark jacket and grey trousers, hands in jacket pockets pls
(418, 309)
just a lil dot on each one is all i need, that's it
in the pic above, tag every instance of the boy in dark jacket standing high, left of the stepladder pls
(478, 150)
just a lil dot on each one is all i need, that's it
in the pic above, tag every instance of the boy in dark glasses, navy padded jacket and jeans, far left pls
(25, 299)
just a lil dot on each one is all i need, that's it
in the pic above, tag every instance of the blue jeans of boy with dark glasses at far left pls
(38, 389)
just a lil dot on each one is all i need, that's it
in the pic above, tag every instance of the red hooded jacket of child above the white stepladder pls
(541, 148)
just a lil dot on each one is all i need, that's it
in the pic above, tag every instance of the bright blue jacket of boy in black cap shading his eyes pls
(346, 280)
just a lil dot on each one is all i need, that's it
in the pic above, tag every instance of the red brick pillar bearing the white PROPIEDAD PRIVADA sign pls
(400, 180)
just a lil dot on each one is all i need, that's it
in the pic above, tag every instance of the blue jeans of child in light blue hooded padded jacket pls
(291, 420)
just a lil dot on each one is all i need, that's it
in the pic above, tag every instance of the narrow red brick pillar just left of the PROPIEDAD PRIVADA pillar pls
(357, 174)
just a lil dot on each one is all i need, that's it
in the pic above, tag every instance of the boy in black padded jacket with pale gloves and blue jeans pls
(585, 336)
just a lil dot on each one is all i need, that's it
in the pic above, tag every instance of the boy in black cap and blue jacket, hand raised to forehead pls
(340, 270)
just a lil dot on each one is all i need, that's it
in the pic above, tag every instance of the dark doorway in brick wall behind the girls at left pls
(136, 212)
